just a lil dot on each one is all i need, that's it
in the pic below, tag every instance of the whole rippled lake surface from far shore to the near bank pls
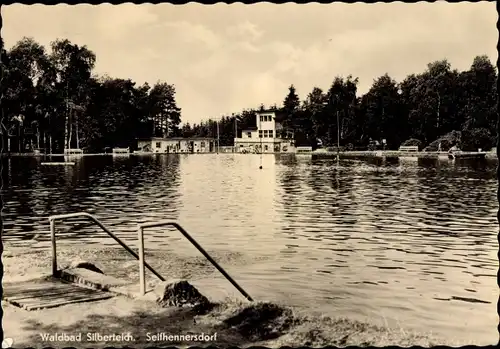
(408, 242)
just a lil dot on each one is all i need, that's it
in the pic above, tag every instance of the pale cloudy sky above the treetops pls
(226, 58)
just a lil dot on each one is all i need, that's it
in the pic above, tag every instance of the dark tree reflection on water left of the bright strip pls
(113, 188)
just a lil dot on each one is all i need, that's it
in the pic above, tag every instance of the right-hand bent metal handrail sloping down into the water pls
(142, 281)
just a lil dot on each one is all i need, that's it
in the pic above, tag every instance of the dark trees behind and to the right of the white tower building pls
(440, 106)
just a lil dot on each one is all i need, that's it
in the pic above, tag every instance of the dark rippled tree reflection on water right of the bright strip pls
(371, 197)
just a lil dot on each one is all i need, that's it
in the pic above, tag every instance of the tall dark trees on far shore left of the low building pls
(52, 100)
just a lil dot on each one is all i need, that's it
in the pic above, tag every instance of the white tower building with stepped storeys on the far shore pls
(266, 137)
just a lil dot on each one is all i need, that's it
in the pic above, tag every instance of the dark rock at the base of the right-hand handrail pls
(179, 293)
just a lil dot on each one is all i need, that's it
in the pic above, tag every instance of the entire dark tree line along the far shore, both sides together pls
(52, 99)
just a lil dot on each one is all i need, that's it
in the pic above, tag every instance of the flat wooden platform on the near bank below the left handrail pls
(49, 292)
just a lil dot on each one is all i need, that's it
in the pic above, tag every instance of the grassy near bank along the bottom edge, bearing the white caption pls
(233, 322)
